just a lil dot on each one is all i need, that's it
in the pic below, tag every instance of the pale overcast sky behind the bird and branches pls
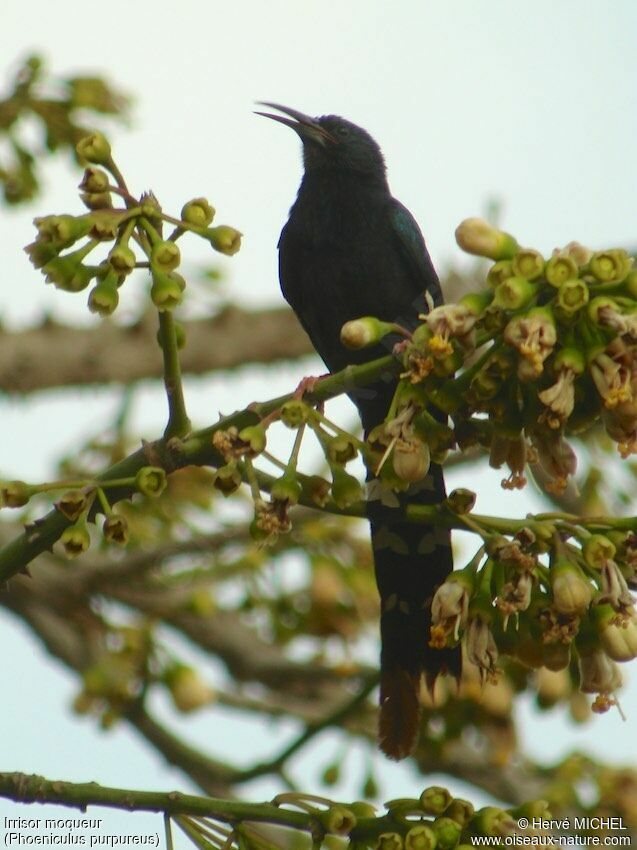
(530, 103)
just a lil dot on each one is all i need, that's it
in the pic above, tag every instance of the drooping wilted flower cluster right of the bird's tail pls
(552, 598)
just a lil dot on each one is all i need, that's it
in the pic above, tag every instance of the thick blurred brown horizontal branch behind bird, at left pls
(56, 355)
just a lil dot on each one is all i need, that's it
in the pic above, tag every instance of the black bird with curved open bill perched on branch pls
(349, 249)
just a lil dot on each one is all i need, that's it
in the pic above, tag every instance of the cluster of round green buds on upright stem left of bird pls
(66, 244)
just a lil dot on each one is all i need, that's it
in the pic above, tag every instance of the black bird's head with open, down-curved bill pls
(331, 142)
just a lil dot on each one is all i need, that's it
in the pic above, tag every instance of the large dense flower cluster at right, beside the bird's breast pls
(545, 352)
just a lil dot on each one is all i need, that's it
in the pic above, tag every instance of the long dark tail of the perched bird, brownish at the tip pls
(411, 561)
